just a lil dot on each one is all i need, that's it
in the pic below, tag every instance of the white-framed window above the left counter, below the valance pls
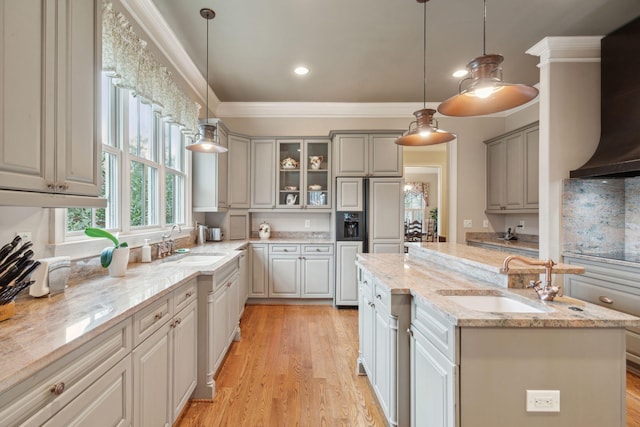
(143, 155)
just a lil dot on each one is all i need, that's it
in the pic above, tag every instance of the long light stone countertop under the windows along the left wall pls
(45, 329)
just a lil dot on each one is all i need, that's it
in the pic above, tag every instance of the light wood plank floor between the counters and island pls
(295, 366)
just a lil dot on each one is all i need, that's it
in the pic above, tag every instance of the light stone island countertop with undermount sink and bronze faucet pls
(431, 282)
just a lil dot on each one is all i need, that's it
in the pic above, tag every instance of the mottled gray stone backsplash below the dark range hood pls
(601, 216)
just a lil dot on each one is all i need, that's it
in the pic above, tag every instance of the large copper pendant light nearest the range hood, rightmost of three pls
(486, 92)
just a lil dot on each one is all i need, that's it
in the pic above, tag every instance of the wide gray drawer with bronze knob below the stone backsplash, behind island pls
(597, 292)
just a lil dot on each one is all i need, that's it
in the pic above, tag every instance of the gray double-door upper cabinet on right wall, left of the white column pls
(512, 171)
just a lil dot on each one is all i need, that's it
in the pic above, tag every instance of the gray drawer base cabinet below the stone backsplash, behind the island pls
(612, 286)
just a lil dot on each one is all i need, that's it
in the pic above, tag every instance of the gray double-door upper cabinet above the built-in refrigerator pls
(367, 154)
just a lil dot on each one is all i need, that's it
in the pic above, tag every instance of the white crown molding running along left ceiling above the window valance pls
(148, 17)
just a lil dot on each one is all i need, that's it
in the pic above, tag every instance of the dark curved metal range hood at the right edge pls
(618, 152)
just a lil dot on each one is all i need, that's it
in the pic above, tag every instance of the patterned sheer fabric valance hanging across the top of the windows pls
(126, 57)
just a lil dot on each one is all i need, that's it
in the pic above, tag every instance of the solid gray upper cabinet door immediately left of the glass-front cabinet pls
(263, 173)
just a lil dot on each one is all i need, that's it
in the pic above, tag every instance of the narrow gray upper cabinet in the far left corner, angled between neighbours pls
(239, 173)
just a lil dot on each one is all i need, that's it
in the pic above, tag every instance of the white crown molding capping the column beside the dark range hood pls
(567, 49)
